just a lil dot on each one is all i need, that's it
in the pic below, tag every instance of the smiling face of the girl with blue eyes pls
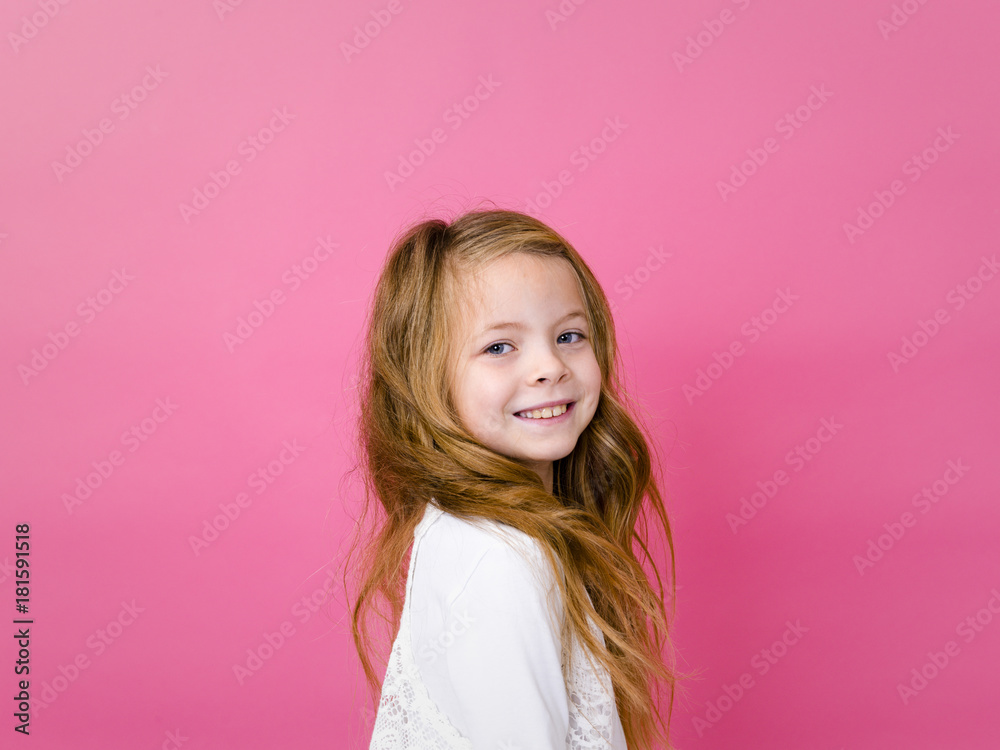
(523, 345)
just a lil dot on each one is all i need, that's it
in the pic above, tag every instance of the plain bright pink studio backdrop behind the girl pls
(792, 206)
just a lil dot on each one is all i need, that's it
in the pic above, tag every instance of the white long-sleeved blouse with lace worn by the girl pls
(478, 661)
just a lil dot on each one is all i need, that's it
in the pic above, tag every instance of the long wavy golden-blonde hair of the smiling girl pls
(413, 447)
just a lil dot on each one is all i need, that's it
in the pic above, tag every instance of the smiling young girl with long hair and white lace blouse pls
(496, 439)
